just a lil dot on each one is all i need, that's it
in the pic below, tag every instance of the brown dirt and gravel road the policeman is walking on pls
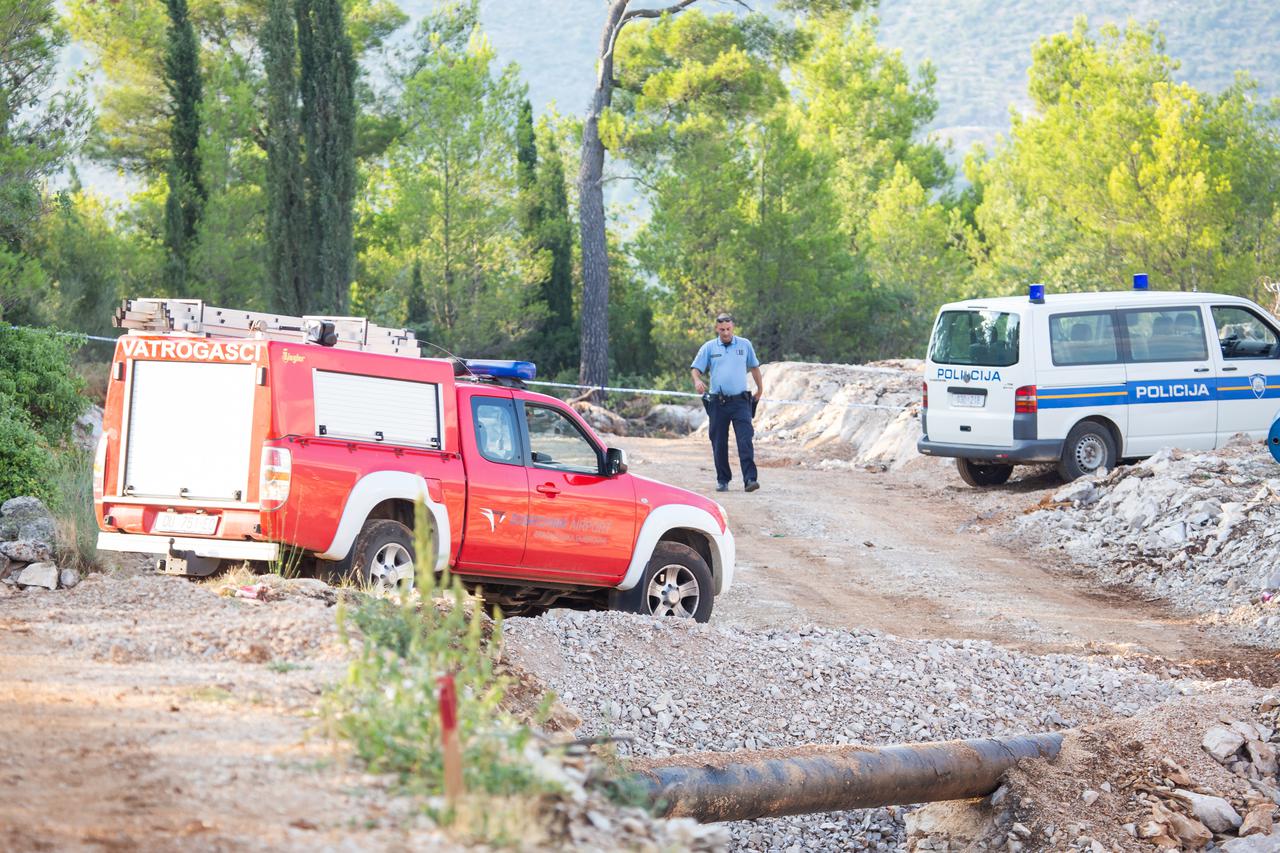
(917, 554)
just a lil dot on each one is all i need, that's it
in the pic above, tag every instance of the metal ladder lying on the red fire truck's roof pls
(163, 316)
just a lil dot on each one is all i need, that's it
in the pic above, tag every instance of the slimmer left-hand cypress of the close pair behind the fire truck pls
(286, 202)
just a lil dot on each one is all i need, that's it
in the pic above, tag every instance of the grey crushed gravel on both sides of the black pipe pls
(665, 687)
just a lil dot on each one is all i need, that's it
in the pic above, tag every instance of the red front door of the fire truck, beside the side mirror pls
(580, 522)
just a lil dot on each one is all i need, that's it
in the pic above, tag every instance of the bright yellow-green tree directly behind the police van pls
(1119, 168)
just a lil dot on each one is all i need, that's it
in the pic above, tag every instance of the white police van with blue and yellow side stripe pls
(1086, 380)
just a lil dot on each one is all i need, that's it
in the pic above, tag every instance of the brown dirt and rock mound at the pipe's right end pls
(1186, 776)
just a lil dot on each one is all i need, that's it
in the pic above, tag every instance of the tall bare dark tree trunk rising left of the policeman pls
(595, 366)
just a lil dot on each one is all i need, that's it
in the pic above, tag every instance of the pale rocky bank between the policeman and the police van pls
(847, 416)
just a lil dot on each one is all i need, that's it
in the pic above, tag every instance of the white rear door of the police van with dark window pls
(973, 373)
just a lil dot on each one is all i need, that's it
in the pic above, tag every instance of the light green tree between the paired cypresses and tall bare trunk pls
(445, 200)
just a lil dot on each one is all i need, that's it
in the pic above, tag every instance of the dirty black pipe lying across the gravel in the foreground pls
(743, 786)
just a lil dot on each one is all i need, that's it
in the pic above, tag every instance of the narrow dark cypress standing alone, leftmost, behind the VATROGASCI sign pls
(188, 194)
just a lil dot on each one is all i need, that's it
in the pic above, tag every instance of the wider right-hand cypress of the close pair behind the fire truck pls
(327, 81)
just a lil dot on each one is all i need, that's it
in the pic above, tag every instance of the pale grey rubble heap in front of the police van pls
(1199, 530)
